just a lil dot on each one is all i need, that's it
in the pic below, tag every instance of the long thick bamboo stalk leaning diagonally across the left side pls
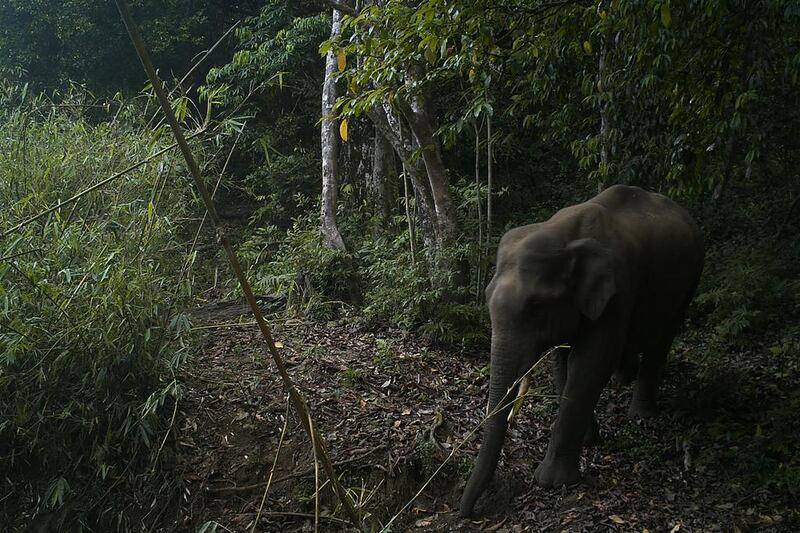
(298, 402)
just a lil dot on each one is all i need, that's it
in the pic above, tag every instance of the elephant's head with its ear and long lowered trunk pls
(544, 287)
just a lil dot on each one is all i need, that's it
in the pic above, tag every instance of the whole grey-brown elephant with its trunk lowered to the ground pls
(612, 278)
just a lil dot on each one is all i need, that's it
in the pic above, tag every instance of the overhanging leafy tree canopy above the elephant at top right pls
(676, 83)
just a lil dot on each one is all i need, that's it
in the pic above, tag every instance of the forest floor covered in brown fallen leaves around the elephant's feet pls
(723, 456)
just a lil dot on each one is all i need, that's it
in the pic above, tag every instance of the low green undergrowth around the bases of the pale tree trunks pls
(396, 289)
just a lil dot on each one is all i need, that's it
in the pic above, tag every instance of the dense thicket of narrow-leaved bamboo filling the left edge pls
(89, 335)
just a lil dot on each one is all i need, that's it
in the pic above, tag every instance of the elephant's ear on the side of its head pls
(593, 276)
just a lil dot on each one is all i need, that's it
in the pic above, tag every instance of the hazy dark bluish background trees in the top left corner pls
(84, 40)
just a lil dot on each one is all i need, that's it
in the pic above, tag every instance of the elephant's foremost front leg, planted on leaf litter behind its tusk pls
(589, 369)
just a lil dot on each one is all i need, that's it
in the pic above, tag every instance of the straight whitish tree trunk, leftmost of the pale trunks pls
(331, 237)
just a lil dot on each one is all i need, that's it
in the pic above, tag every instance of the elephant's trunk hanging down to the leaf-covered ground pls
(504, 371)
